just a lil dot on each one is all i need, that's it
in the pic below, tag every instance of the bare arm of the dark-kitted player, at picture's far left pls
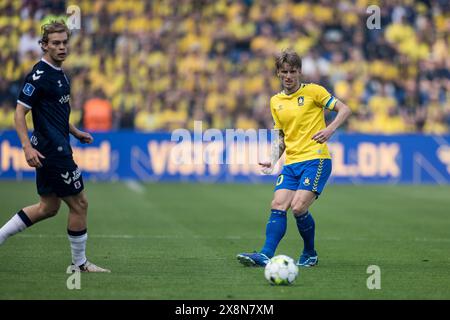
(31, 155)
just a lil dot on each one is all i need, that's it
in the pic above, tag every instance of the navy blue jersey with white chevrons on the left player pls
(46, 91)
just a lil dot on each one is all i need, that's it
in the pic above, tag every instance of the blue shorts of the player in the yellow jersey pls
(309, 175)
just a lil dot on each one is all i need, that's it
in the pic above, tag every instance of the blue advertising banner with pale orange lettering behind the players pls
(357, 158)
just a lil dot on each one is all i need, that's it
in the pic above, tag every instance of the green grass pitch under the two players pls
(179, 241)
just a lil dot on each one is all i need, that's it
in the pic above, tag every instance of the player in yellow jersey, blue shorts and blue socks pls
(298, 114)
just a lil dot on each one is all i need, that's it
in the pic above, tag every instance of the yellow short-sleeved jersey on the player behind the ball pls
(300, 115)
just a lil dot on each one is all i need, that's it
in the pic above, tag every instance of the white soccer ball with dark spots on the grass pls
(281, 270)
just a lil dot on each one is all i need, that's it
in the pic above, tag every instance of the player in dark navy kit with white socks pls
(46, 93)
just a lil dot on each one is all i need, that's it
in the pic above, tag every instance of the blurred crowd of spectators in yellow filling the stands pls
(160, 65)
